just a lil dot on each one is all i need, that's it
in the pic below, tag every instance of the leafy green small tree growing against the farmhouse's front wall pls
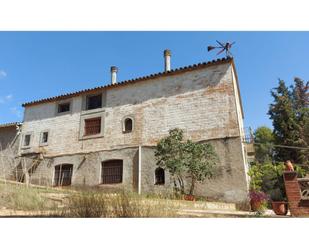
(195, 161)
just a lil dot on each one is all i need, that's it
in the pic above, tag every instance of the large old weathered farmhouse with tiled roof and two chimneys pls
(106, 136)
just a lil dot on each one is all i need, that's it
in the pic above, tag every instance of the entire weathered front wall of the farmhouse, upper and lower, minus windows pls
(205, 103)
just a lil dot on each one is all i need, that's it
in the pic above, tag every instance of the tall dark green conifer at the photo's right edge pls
(290, 115)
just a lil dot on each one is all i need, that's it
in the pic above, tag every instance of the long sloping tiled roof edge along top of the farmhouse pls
(126, 82)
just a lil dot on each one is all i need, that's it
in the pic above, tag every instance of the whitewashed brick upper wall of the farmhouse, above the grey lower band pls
(202, 102)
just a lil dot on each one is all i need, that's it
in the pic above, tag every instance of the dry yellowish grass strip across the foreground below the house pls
(92, 202)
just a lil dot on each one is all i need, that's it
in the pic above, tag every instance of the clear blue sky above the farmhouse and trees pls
(35, 65)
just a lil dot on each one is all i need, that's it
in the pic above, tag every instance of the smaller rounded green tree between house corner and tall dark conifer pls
(263, 139)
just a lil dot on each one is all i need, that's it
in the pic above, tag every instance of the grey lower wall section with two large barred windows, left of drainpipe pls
(87, 168)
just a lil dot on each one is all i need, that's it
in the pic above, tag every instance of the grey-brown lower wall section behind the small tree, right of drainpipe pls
(229, 185)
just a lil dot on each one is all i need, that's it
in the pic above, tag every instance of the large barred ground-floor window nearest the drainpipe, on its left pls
(112, 171)
